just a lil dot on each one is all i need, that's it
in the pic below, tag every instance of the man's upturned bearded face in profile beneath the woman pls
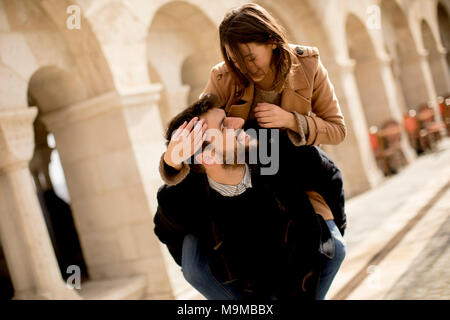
(227, 141)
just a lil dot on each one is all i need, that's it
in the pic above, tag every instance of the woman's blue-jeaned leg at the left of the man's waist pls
(197, 272)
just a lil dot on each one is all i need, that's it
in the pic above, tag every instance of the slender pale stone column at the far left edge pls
(28, 250)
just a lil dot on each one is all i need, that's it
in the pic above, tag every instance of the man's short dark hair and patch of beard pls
(201, 106)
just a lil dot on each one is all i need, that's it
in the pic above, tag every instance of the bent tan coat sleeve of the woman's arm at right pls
(327, 126)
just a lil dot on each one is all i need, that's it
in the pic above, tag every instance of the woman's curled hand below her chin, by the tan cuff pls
(272, 116)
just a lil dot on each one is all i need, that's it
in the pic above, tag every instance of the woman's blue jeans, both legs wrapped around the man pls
(197, 272)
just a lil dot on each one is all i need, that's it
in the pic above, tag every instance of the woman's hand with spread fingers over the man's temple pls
(185, 141)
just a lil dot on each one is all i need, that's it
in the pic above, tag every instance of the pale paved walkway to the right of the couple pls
(389, 229)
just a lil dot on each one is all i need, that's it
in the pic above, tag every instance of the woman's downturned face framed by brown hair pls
(257, 58)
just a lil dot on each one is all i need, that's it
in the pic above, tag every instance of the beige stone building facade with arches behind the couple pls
(105, 76)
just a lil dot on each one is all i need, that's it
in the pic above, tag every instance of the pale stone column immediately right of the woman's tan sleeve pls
(354, 155)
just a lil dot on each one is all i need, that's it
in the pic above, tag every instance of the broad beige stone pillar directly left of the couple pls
(109, 148)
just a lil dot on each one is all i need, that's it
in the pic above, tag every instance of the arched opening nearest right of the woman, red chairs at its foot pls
(373, 76)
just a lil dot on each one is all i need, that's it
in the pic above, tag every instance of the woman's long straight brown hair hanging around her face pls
(252, 23)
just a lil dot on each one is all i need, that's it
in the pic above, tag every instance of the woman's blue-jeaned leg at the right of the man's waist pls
(332, 266)
